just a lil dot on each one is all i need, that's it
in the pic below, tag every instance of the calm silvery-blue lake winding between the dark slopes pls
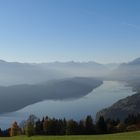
(104, 96)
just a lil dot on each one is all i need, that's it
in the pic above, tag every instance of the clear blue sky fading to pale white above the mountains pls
(105, 31)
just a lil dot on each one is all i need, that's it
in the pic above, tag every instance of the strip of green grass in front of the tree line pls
(121, 136)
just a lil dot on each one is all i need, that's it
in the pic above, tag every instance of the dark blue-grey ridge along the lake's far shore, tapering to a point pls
(16, 97)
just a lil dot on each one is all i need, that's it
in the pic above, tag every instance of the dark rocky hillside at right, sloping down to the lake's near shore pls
(122, 108)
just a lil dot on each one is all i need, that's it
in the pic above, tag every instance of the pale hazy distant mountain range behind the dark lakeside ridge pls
(14, 73)
